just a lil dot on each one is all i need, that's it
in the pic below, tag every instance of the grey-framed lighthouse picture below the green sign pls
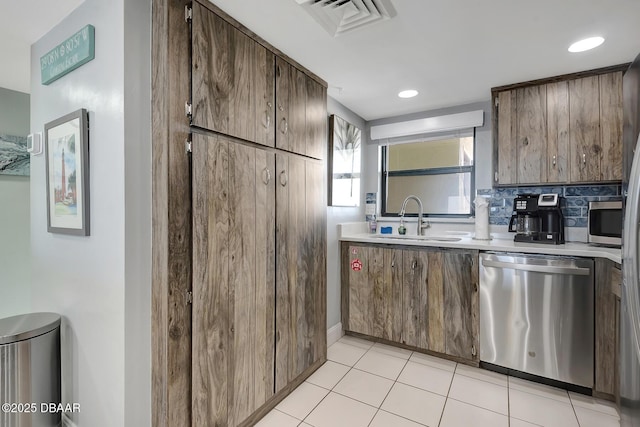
(67, 159)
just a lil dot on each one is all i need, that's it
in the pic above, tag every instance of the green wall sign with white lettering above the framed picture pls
(72, 53)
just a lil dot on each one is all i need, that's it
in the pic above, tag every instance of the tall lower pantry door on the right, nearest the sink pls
(300, 267)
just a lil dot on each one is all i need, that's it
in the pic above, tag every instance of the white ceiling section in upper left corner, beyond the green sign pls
(22, 23)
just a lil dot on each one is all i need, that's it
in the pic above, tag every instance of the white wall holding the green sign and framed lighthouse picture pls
(101, 284)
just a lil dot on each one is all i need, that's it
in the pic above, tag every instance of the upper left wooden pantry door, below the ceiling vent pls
(232, 80)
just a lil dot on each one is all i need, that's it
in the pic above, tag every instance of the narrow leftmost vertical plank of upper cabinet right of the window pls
(506, 138)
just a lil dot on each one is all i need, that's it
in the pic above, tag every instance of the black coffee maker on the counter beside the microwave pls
(537, 219)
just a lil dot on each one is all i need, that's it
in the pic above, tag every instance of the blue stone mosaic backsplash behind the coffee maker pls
(576, 201)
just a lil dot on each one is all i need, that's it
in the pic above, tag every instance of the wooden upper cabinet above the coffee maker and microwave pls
(563, 130)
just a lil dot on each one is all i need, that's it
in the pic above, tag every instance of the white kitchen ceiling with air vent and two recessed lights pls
(452, 51)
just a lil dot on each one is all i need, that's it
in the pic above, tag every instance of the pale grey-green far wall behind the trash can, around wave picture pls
(15, 265)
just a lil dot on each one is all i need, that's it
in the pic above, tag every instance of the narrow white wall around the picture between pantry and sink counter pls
(337, 215)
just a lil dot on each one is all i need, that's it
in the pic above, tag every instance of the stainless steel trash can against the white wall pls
(30, 370)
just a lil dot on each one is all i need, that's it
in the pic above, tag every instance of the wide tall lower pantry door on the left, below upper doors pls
(233, 285)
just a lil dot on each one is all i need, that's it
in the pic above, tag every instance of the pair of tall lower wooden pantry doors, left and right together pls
(255, 291)
